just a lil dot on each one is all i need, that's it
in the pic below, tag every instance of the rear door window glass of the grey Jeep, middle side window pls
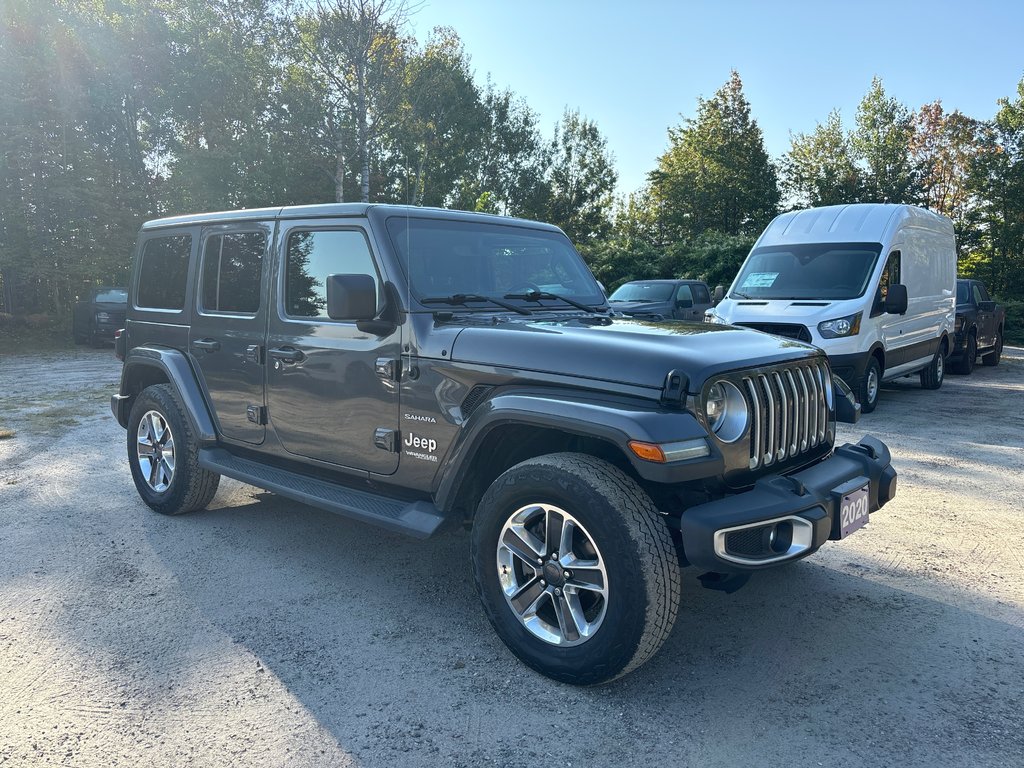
(233, 266)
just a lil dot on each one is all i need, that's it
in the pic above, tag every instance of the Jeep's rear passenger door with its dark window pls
(229, 330)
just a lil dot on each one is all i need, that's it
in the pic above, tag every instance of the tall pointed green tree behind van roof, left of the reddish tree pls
(882, 141)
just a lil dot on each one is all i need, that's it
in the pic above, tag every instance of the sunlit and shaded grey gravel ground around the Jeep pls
(264, 633)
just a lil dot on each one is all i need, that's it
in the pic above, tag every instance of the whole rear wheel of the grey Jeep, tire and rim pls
(163, 454)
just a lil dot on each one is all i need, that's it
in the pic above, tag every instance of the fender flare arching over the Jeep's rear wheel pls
(179, 372)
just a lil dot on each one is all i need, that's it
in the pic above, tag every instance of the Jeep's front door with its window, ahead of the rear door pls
(330, 387)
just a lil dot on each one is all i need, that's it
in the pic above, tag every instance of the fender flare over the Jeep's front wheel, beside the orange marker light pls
(616, 422)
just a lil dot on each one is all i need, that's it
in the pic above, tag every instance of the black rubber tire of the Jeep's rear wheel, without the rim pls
(191, 488)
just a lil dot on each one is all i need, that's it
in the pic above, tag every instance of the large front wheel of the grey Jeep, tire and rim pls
(576, 570)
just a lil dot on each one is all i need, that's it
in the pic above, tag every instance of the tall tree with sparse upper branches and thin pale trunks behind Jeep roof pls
(359, 48)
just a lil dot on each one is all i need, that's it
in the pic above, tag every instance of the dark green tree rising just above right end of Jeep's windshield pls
(581, 180)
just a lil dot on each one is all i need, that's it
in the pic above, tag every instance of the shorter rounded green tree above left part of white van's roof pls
(820, 169)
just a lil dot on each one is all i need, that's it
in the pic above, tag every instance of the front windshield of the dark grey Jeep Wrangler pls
(448, 259)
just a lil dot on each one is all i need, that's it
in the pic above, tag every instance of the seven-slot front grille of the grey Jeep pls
(790, 411)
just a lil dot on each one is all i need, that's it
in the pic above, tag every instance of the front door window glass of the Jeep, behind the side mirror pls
(313, 255)
